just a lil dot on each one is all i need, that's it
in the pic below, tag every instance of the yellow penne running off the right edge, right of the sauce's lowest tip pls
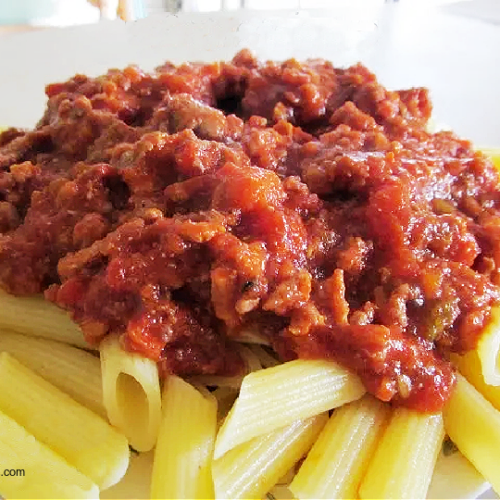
(473, 424)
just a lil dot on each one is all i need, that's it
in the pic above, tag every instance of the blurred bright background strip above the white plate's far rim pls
(18, 15)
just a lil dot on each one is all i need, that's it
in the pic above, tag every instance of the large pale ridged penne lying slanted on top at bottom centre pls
(278, 396)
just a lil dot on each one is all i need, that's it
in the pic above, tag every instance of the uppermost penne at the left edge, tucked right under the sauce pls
(39, 318)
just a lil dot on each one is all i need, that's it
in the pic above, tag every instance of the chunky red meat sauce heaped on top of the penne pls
(182, 208)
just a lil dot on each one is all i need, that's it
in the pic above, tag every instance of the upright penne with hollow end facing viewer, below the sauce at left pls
(131, 393)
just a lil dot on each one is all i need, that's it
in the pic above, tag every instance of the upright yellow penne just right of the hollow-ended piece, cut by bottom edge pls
(183, 455)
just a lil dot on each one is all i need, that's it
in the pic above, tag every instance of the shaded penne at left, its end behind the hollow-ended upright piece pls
(74, 371)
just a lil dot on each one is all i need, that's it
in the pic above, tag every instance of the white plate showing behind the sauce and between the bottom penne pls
(405, 44)
